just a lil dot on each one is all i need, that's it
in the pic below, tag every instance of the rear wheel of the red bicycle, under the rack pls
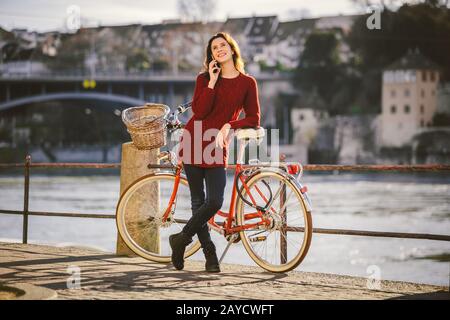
(282, 245)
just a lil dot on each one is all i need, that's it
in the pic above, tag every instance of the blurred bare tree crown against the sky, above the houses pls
(196, 10)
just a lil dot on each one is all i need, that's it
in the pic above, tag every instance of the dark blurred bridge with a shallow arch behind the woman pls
(20, 89)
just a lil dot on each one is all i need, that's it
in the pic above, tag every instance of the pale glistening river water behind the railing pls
(417, 202)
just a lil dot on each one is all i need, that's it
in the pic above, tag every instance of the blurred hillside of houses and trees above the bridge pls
(267, 44)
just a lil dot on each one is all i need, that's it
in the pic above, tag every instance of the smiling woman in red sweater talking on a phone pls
(221, 92)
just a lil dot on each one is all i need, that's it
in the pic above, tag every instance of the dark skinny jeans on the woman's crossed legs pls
(203, 208)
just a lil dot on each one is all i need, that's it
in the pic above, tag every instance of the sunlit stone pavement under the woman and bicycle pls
(107, 276)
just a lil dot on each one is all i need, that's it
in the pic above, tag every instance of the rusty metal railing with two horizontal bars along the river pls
(27, 165)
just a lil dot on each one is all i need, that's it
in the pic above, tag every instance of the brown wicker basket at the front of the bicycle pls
(147, 125)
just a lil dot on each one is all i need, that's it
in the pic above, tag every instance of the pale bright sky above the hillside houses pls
(47, 15)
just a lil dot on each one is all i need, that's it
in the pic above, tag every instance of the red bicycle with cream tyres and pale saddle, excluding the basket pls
(270, 211)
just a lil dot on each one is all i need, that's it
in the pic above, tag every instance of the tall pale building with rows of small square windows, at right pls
(409, 98)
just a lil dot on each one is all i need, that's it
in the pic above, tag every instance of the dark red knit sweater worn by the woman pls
(212, 108)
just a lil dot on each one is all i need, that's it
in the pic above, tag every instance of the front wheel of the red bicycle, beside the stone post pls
(140, 211)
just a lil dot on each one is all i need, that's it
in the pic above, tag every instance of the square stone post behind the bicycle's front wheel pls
(133, 166)
